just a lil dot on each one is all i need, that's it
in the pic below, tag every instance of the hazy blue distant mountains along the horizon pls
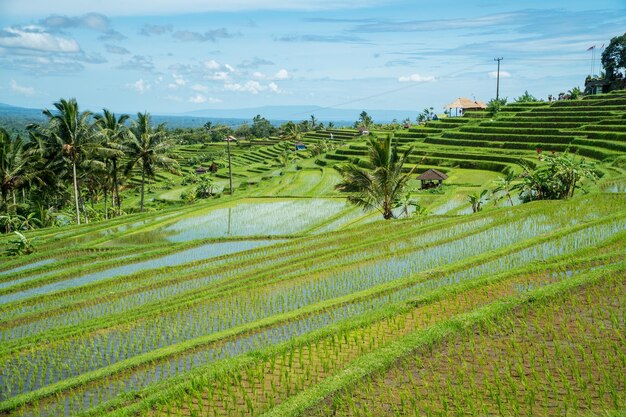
(18, 117)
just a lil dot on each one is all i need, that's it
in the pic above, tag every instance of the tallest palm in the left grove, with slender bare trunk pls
(72, 131)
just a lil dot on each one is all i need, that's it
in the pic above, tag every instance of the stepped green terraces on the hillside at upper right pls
(594, 127)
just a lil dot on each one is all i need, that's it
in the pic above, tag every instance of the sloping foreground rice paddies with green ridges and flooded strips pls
(211, 312)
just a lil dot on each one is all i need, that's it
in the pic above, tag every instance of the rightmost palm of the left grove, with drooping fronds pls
(147, 148)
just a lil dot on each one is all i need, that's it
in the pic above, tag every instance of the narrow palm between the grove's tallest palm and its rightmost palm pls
(113, 129)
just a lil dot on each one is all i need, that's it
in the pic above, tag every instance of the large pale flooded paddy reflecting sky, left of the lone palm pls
(249, 218)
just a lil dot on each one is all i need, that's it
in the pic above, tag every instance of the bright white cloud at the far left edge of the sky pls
(35, 38)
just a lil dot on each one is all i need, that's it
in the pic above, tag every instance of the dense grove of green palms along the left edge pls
(73, 158)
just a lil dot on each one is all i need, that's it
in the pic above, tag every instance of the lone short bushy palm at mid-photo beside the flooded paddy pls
(381, 186)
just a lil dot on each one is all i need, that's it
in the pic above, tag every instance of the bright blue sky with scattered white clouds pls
(171, 57)
